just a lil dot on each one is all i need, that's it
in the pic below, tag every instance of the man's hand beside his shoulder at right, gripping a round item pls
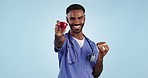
(103, 48)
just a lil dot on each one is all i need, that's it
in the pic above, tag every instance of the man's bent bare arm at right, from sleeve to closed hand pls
(98, 68)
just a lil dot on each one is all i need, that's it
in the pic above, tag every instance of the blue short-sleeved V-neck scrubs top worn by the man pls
(73, 62)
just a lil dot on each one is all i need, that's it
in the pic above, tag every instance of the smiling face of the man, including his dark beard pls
(76, 20)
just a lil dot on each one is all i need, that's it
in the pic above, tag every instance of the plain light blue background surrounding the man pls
(27, 35)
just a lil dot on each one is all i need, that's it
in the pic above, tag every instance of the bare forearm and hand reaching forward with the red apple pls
(59, 36)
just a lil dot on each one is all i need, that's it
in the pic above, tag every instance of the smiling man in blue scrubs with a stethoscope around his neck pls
(79, 57)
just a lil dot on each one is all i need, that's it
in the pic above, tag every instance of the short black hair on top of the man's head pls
(75, 7)
